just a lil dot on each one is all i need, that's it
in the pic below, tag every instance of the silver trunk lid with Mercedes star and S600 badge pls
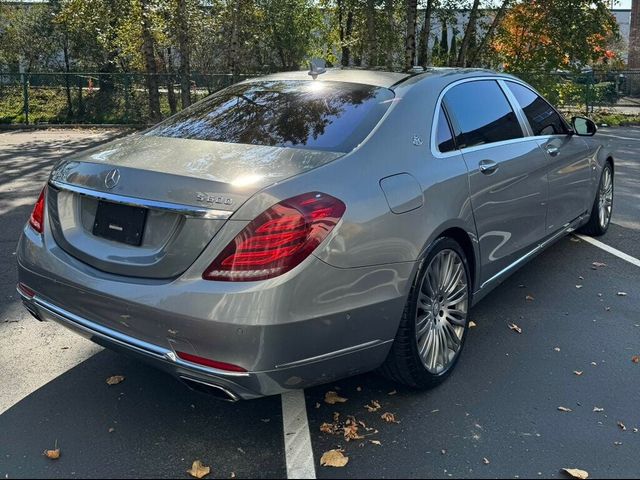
(147, 206)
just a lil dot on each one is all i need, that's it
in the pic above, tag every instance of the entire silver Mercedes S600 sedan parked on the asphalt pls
(292, 229)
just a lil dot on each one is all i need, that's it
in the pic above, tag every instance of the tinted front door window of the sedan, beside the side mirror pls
(543, 118)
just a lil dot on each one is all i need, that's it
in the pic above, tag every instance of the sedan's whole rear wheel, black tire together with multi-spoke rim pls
(405, 363)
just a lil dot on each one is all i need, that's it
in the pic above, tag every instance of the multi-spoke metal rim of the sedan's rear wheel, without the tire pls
(441, 314)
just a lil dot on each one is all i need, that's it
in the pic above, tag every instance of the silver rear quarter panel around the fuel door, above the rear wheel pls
(370, 233)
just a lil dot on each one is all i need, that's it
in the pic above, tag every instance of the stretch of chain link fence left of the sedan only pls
(96, 98)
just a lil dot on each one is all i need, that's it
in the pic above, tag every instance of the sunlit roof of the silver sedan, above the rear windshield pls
(378, 78)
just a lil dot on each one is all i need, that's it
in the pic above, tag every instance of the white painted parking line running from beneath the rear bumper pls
(297, 439)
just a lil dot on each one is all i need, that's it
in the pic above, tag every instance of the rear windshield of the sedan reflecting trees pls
(314, 114)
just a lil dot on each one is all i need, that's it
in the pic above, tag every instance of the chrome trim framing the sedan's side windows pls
(522, 120)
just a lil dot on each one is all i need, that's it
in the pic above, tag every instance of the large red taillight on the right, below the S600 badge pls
(277, 240)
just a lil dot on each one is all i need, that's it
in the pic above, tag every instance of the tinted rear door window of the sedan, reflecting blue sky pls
(482, 113)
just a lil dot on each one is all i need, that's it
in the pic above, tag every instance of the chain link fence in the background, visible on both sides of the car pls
(122, 98)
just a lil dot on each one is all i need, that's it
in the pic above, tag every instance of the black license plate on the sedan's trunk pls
(120, 223)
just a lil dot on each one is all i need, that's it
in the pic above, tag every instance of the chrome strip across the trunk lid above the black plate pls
(186, 210)
